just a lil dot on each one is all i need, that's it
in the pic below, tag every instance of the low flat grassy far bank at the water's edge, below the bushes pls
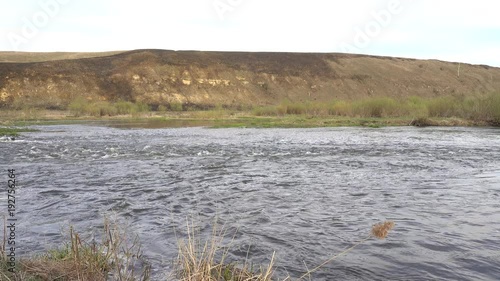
(220, 119)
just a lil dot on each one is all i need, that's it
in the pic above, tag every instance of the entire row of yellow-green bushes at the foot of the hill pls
(479, 109)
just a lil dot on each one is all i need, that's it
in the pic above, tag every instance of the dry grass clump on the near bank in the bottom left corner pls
(114, 258)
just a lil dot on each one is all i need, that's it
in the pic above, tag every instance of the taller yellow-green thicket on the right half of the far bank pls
(485, 109)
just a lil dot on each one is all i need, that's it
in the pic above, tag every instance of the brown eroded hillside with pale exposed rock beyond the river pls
(203, 79)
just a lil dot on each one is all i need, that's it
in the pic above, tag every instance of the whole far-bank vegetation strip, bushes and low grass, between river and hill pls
(369, 112)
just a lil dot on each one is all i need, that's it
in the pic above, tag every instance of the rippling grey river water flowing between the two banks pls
(306, 194)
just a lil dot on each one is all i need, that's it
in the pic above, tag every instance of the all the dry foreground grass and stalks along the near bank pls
(118, 257)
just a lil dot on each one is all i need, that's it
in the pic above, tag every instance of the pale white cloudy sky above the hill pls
(466, 31)
